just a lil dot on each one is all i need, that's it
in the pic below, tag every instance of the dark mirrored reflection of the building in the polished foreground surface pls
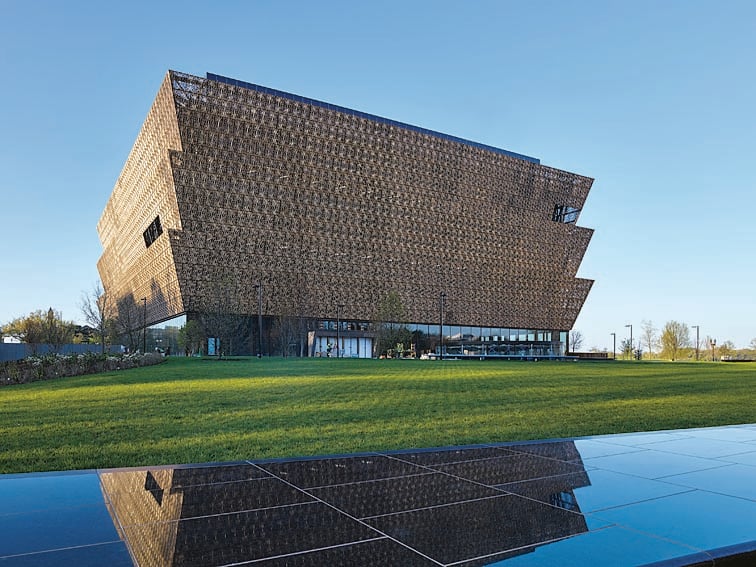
(229, 514)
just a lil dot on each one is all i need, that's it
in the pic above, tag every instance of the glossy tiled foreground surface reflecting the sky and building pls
(684, 497)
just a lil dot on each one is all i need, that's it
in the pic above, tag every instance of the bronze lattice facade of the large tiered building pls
(230, 184)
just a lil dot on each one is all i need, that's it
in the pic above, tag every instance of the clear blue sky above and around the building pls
(653, 99)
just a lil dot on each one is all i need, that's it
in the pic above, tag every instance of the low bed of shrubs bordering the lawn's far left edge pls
(51, 366)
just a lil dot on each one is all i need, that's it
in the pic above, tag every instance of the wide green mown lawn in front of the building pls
(192, 410)
